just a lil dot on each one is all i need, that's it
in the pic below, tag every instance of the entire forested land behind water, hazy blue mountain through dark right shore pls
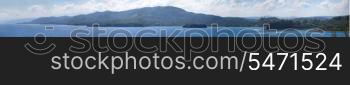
(173, 16)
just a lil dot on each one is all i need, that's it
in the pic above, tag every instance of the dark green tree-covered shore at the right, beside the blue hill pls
(340, 23)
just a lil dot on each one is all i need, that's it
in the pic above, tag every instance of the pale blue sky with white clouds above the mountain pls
(26, 9)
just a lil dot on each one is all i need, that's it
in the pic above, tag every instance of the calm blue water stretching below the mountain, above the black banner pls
(26, 30)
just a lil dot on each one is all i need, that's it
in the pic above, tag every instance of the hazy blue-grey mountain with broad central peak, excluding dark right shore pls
(148, 16)
